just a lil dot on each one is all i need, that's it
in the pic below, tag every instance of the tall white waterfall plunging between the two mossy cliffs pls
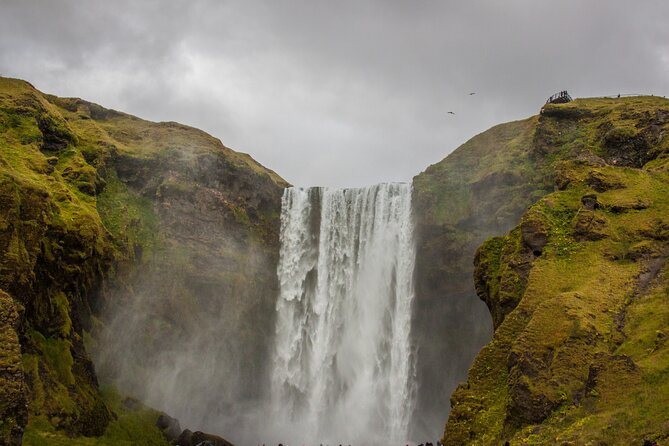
(343, 368)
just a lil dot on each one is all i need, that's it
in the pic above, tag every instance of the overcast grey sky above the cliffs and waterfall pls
(336, 93)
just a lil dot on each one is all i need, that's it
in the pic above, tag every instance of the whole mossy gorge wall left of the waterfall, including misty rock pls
(118, 237)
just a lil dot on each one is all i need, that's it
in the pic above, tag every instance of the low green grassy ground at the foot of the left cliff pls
(135, 424)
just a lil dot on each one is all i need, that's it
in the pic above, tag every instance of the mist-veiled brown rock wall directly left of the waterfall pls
(190, 322)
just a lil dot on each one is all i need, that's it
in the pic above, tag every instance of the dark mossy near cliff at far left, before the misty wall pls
(54, 249)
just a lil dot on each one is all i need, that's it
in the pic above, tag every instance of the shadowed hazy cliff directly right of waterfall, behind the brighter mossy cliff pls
(478, 191)
